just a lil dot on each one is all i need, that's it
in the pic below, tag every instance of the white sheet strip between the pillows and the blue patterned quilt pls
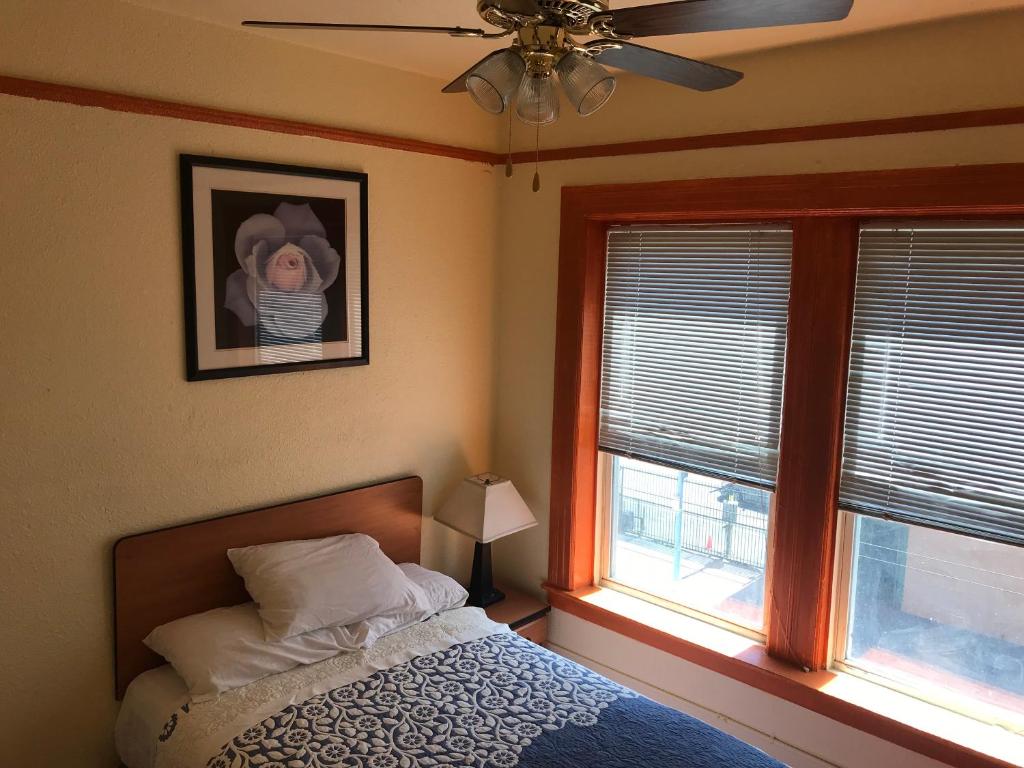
(154, 697)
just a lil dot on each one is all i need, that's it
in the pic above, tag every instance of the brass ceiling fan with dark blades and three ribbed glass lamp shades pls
(546, 44)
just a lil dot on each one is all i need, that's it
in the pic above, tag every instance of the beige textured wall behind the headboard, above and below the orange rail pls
(100, 435)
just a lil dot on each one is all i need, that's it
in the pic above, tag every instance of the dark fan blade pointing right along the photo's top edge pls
(715, 16)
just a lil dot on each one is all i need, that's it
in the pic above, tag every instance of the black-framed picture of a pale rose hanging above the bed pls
(275, 268)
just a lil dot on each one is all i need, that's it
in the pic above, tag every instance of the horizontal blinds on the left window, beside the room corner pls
(695, 346)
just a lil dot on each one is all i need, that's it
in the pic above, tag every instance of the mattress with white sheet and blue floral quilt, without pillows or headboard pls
(457, 691)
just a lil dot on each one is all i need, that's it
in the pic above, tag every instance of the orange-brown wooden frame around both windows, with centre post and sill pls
(825, 211)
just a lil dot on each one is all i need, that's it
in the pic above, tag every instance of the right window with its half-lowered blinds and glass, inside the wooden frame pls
(933, 473)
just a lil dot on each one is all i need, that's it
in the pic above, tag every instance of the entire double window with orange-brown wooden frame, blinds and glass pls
(879, 581)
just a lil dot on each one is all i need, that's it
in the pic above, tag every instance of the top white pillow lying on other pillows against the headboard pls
(304, 586)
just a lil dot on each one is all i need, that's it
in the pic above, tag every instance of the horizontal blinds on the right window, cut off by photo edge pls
(935, 418)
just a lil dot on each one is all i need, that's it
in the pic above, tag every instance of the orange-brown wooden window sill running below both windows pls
(759, 670)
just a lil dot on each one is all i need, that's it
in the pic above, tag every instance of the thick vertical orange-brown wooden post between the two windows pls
(805, 520)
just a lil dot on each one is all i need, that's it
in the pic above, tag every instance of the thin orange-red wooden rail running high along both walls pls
(48, 92)
